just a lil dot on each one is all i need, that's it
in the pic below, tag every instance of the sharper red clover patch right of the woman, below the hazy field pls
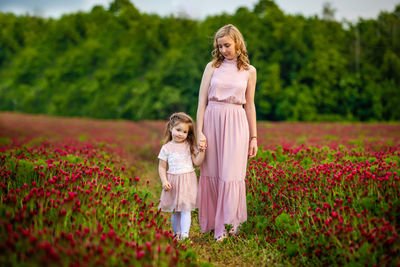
(326, 206)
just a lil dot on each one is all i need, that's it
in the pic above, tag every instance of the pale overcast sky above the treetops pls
(350, 10)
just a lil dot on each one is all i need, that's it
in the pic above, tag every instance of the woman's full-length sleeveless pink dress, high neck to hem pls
(222, 191)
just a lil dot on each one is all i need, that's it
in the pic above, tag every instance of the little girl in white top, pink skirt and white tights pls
(179, 182)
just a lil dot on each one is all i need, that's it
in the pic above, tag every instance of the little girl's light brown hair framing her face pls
(174, 120)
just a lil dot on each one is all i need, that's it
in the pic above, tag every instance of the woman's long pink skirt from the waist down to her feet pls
(222, 190)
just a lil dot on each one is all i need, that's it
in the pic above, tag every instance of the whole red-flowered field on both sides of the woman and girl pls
(317, 193)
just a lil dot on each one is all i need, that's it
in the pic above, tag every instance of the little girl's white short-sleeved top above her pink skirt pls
(178, 157)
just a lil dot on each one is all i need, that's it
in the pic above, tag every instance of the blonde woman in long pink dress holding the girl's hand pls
(228, 131)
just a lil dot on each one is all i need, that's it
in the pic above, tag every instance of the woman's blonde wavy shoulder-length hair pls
(230, 30)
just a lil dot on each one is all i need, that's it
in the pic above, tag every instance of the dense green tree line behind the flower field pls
(117, 62)
